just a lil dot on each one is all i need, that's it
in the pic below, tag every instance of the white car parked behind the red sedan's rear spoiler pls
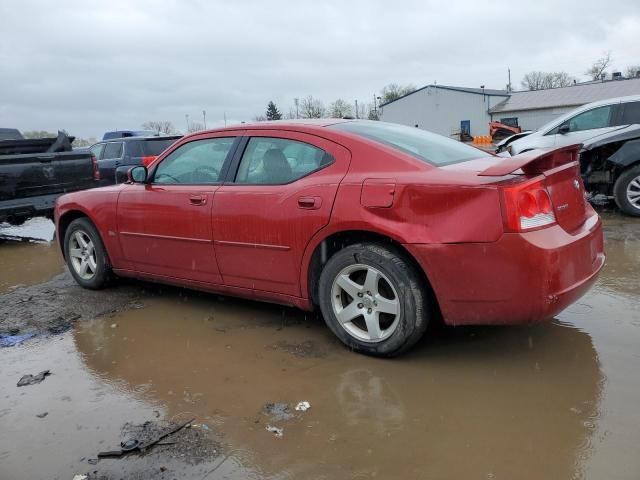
(581, 124)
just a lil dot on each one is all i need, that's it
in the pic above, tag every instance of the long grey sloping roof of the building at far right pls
(579, 94)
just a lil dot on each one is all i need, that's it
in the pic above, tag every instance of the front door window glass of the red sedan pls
(195, 163)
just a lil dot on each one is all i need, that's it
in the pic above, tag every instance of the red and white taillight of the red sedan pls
(527, 206)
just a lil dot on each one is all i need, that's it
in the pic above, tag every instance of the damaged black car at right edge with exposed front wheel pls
(610, 166)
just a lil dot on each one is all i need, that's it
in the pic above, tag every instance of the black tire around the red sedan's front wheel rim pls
(102, 274)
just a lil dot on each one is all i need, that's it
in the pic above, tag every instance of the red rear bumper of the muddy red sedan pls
(521, 278)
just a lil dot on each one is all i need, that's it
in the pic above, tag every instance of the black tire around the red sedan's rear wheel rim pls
(401, 275)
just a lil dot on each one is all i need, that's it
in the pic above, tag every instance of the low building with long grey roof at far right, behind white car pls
(537, 107)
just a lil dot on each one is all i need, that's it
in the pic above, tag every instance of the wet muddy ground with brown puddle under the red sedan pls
(558, 400)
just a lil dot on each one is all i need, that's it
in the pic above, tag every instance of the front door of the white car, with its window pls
(586, 125)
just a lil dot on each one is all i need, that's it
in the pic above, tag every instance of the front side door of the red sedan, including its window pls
(164, 225)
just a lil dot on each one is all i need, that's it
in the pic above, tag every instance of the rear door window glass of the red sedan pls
(277, 161)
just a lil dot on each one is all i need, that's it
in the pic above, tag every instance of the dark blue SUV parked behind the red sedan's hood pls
(115, 157)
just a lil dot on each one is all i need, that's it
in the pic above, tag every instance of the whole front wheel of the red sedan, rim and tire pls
(85, 254)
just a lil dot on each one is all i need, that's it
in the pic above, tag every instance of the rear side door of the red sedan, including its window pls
(282, 193)
